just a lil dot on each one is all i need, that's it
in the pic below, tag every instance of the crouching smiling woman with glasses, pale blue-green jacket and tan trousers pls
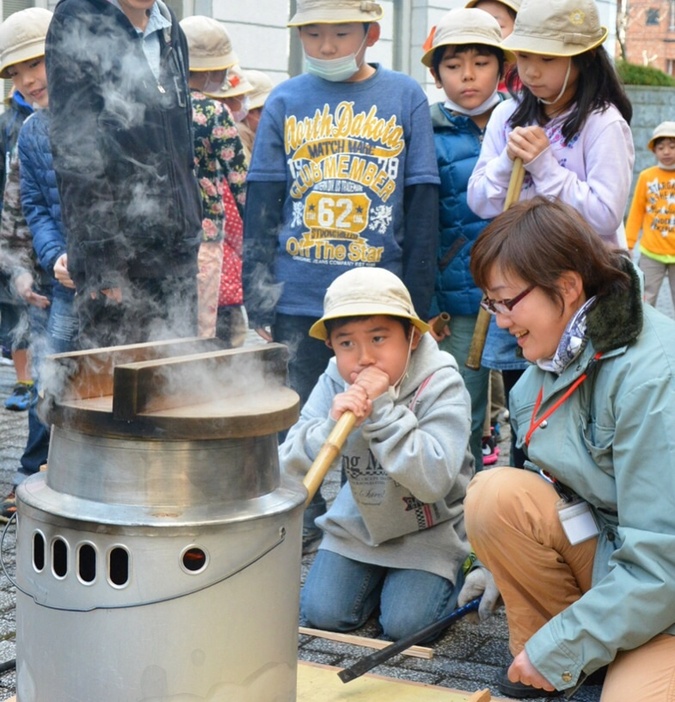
(582, 543)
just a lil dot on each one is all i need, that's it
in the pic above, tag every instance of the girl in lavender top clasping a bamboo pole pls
(569, 125)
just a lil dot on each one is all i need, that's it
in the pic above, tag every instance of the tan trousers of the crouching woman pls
(513, 526)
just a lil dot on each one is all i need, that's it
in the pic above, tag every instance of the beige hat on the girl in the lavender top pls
(556, 28)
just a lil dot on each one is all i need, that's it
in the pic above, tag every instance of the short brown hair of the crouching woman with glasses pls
(538, 240)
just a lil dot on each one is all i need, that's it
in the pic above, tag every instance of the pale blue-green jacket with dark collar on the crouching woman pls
(613, 442)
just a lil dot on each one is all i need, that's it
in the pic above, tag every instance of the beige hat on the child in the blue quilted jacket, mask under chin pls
(464, 26)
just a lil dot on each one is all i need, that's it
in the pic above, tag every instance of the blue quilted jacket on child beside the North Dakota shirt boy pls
(458, 141)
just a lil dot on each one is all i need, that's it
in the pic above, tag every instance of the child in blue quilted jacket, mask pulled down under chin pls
(466, 60)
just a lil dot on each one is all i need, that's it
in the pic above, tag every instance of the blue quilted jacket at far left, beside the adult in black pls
(40, 197)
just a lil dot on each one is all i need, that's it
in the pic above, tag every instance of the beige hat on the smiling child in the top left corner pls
(22, 37)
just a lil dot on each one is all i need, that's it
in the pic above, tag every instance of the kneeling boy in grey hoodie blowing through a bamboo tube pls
(393, 538)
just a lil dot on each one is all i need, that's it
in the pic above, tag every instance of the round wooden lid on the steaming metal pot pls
(173, 390)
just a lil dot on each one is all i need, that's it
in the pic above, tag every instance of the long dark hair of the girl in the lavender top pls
(598, 87)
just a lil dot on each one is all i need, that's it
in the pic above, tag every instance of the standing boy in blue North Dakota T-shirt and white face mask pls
(343, 174)
